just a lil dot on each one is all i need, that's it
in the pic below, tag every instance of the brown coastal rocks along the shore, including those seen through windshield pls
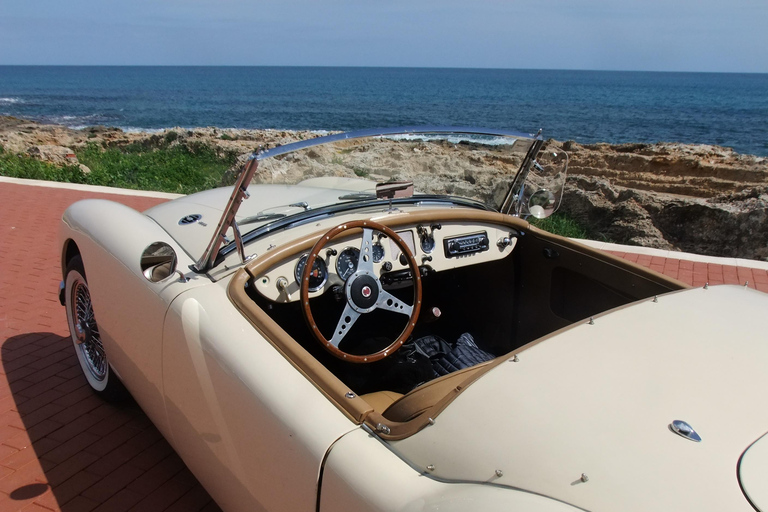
(695, 198)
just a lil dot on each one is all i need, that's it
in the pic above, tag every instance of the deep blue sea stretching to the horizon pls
(586, 106)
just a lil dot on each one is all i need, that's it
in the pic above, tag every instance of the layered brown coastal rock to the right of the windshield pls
(695, 198)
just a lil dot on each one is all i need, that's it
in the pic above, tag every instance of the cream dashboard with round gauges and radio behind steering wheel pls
(437, 247)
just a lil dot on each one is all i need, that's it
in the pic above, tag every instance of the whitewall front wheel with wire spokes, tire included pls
(85, 335)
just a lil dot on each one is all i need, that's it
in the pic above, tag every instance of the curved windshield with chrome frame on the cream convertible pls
(484, 168)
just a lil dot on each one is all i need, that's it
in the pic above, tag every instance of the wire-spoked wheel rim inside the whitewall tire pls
(86, 332)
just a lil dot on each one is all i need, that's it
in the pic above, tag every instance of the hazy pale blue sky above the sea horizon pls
(658, 35)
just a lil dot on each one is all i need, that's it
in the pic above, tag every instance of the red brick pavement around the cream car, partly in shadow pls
(61, 447)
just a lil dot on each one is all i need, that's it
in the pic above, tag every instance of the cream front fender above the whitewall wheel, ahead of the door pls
(129, 309)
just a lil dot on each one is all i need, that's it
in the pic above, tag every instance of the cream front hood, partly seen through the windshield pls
(195, 236)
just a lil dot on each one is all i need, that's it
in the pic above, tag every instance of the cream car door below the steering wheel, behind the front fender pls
(250, 426)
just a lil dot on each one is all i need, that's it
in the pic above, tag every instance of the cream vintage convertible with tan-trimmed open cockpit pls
(322, 337)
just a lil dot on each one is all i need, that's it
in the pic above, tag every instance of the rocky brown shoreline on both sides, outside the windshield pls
(694, 198)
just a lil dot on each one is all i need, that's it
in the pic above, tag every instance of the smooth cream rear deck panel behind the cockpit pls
(583, 416)
